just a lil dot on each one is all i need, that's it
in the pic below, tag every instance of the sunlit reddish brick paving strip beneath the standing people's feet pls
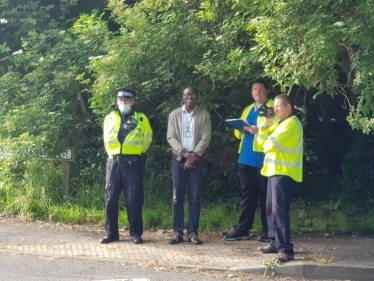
(213, 253)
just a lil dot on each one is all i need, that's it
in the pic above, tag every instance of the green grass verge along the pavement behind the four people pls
(88, 206)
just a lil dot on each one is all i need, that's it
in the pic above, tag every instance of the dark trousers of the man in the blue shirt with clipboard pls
(253, 185)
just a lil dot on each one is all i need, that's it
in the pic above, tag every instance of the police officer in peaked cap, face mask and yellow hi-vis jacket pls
(127, 136)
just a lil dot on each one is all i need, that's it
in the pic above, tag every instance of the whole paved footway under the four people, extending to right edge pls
(40, 238)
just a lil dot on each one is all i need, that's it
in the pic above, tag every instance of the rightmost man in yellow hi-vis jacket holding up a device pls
(282, 142)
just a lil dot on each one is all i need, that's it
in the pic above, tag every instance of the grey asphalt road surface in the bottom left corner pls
(31, 268)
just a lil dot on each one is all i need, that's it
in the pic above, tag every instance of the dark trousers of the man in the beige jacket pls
(193, 178)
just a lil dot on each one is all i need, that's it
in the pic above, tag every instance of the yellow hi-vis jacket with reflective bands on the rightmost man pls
(282, 143)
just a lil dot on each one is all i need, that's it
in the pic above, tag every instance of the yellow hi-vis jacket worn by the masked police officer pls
(136, 142)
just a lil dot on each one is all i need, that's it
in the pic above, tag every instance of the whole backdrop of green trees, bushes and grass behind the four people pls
(60, 62)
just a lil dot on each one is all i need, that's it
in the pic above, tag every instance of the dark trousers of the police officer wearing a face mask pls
(126, 177)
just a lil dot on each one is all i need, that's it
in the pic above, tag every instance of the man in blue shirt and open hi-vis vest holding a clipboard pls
(251, 158)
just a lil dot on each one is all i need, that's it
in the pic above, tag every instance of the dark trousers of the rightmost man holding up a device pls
(277, 210)
